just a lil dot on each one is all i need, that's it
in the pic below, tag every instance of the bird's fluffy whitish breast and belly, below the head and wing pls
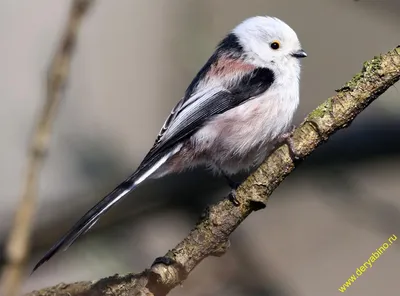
(244, 135)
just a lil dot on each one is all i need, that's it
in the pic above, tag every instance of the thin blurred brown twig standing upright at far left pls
(17, 248)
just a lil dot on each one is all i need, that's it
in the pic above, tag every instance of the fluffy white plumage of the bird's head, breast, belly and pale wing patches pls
(241, 137)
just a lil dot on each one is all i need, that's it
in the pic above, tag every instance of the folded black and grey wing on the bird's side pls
(191, 114)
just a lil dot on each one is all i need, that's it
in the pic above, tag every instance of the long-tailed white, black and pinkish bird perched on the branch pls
(232, 114)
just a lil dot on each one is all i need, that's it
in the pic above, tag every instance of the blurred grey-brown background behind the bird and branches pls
(132, 63)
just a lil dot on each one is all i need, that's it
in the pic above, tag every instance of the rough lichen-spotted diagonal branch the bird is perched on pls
(210, 237)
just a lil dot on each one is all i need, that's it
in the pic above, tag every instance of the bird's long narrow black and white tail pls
(93, 215)
